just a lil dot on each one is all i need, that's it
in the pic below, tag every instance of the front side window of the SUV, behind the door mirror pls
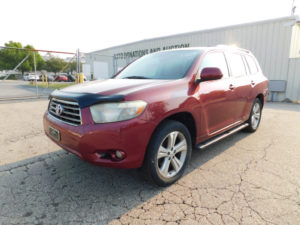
(215, 59)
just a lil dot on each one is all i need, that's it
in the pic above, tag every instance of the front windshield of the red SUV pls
(168, 65)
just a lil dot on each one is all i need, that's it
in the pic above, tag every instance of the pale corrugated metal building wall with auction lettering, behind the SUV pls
(268, 40)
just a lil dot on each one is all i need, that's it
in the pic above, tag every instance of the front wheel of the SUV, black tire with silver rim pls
(168, 153)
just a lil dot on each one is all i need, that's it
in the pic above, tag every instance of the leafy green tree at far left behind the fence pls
(10, 58)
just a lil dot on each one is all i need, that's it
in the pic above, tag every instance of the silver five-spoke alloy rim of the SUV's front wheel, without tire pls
(171, 154)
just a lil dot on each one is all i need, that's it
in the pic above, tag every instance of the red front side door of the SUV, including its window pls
(216, 96)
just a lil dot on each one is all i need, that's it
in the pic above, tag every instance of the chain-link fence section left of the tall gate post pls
(31, 73)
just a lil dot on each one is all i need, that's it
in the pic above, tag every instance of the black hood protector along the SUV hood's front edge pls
(85, 99)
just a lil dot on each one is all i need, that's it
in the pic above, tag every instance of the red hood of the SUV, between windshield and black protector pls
(115, 86)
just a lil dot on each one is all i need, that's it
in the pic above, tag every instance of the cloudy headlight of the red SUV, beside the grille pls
(113, 112)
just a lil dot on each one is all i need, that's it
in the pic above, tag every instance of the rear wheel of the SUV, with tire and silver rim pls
(255, 116)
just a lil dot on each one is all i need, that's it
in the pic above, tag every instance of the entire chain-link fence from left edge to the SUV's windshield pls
(37, 73)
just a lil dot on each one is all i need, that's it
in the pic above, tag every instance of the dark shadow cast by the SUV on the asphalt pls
(61, 188)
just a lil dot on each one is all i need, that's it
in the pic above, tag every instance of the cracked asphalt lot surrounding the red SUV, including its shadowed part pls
(244, 179)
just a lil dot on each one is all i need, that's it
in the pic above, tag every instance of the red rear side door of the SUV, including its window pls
(240, 85)
